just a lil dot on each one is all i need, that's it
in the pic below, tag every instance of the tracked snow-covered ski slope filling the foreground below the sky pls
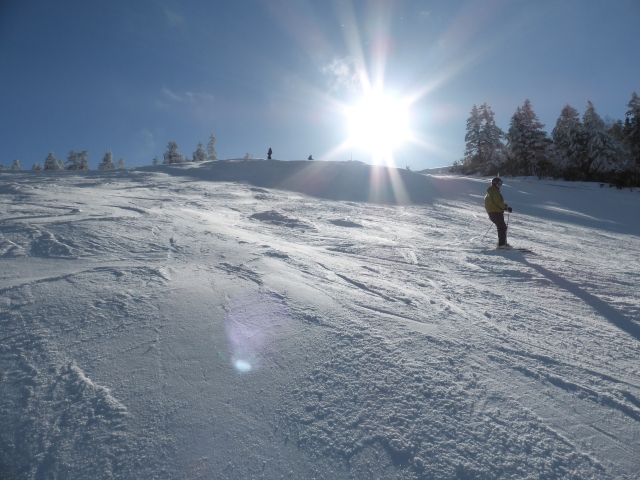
(314, 320)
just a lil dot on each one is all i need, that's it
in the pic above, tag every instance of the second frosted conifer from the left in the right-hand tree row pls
(528, 143)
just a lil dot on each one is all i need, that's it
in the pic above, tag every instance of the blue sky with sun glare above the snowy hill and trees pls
(133, 75)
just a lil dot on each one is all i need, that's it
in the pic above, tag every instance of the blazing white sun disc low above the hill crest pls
(378, 124)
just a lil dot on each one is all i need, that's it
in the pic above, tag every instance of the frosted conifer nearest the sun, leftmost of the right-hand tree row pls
(485, 152)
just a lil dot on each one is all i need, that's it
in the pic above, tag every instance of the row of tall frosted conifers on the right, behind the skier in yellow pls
(587, 149)
